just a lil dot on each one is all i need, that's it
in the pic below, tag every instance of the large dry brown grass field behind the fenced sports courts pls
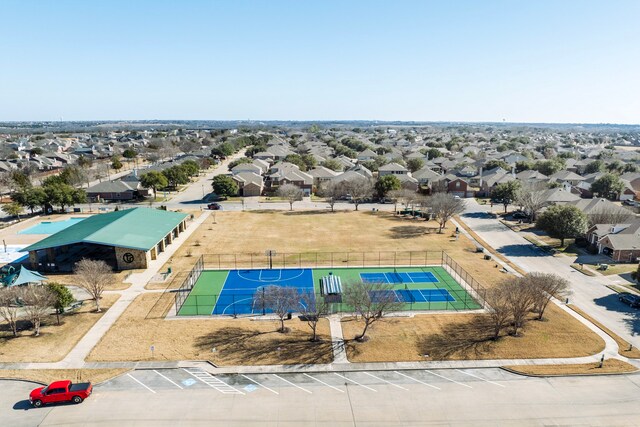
(320, 231)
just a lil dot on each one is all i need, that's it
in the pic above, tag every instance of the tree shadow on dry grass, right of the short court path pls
(472, 338)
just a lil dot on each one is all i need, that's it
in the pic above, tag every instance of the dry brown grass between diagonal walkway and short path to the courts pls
(236, 341)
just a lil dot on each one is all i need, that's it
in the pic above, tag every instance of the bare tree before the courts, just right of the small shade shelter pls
(371, 301)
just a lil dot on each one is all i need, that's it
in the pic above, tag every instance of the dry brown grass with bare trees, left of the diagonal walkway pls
(54, 341)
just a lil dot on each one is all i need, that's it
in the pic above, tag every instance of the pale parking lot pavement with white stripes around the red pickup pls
(478, 397)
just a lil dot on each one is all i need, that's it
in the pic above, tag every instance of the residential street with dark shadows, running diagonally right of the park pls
(589, 293)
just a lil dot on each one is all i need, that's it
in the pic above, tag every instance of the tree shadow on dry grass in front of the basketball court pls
(247, 346)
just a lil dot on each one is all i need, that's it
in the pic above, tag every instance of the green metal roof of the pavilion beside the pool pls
(138, 228)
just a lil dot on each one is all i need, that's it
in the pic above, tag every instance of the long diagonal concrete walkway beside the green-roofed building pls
(75, 358)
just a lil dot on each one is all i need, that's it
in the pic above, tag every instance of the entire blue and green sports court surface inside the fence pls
(233, 292)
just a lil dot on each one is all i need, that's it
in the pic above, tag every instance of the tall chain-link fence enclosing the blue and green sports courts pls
(470, 296)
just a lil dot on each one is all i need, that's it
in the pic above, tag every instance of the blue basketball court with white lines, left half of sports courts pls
(241, 286)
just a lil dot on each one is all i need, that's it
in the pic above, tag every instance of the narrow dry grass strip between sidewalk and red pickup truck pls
(47, 376)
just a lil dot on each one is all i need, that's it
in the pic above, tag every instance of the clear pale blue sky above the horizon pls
(559, 61)
